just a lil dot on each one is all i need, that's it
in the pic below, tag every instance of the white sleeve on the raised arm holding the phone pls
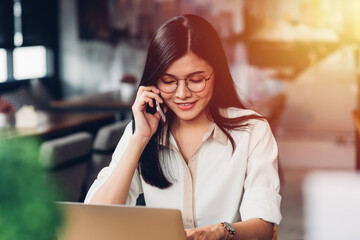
(105, 173)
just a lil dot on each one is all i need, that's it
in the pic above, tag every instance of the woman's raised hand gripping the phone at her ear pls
(146, 123)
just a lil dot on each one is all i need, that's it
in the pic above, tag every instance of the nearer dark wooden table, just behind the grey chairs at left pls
(57, 124)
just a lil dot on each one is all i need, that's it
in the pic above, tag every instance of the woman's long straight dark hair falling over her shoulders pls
(170, 42)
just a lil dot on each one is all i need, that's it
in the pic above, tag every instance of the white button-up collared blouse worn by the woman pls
(218, 184)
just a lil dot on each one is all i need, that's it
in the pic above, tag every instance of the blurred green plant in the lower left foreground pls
(27, 210)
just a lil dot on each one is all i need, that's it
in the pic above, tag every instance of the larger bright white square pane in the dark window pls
(30, 62)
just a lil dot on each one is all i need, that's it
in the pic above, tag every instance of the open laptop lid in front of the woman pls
(116, 222)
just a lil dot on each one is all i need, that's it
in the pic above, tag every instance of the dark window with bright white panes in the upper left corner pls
(28, 40)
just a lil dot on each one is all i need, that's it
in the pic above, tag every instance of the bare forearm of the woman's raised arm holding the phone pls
(116, 189)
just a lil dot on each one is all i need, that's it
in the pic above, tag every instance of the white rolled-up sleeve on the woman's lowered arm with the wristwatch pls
(261, 197)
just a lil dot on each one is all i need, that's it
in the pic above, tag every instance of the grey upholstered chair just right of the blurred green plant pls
(66, 159)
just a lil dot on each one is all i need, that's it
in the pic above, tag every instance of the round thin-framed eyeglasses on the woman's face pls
(194, 82)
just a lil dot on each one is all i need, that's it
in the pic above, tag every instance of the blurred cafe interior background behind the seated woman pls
(69, 72)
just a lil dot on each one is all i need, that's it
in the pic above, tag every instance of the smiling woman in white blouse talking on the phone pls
(212, 158)
